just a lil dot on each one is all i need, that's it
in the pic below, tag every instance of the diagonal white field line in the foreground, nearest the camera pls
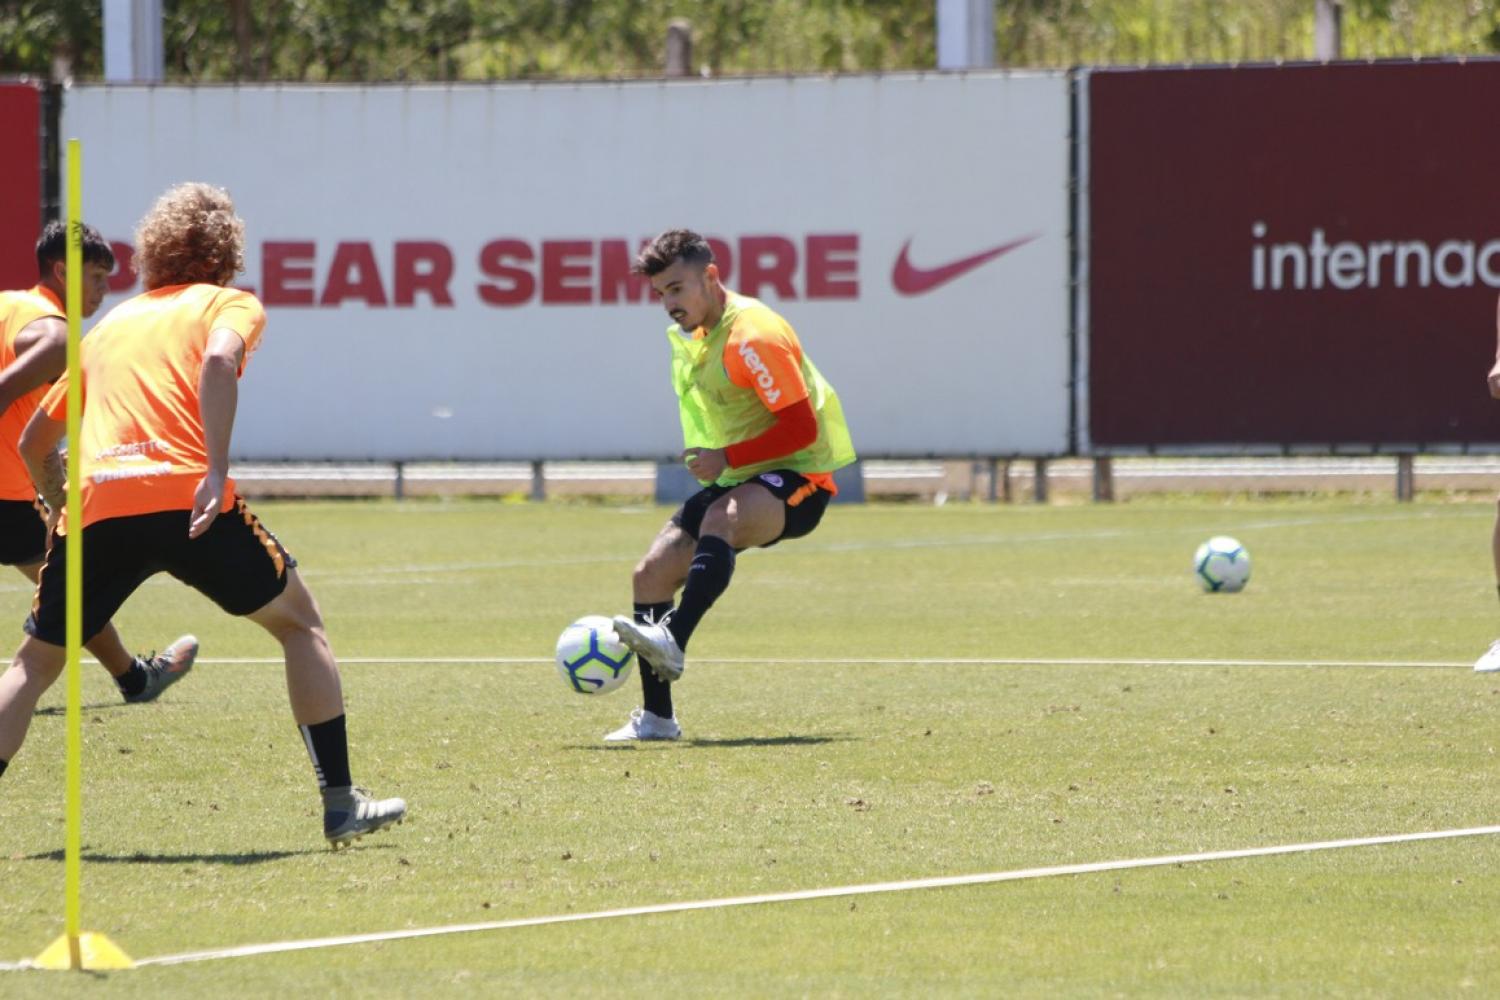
(943, 882)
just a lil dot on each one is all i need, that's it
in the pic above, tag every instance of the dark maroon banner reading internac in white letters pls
(1294, 256)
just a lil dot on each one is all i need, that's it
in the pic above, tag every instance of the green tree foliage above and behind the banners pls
(539, 40)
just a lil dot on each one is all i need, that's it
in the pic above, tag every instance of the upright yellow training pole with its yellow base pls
(79, 950)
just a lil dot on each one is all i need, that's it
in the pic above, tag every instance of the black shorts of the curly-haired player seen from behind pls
(236, 564)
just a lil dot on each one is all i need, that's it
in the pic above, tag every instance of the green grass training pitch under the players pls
(830, 741)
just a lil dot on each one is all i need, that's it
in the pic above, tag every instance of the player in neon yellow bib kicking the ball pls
(763, 431)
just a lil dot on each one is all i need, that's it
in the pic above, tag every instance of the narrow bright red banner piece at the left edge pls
(22, 182)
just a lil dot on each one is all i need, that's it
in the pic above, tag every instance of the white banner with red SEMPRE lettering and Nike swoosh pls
(448, 269)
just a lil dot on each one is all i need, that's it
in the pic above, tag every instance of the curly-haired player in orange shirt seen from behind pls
(161, 386)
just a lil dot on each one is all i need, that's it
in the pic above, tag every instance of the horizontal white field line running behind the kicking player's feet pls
(922, 662)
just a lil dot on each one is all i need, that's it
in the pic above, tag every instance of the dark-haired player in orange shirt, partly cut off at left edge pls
(34, 352)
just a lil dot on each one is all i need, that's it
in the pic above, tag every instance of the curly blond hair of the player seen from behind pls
(190, 236)
